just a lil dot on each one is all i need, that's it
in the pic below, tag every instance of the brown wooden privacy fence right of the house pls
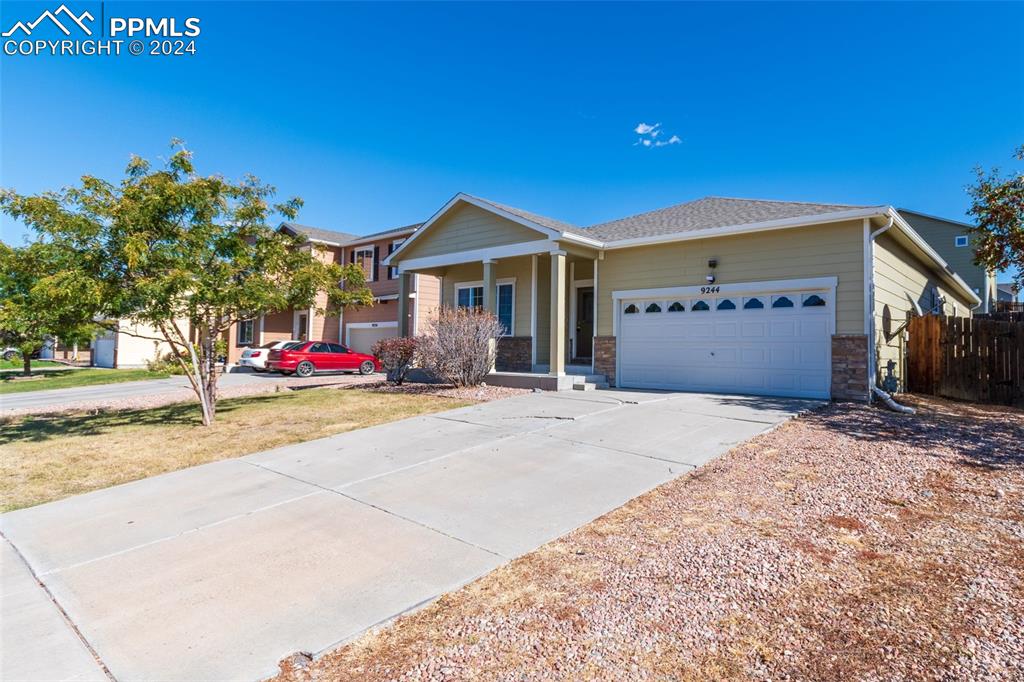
(968, 360)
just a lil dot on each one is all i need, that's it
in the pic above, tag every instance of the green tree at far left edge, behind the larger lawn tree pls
(45, 295)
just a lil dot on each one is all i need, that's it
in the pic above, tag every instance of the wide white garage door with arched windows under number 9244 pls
(758, 343)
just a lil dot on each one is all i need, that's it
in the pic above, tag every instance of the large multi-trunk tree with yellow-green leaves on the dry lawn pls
(190, 255)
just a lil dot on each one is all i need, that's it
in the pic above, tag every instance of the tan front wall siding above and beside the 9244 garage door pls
(830, 250)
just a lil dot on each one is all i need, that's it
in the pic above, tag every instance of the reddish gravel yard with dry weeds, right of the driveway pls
(851, 543)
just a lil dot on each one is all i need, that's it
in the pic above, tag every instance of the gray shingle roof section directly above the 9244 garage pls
(708, 214)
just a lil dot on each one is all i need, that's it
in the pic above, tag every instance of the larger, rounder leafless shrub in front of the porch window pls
(457, 349)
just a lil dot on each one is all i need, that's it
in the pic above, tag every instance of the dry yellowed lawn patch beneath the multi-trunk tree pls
(52, 457)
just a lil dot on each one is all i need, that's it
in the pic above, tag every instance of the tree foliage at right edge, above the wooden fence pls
(999, 211)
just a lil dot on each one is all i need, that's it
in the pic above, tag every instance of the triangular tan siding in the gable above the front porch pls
(470, 228)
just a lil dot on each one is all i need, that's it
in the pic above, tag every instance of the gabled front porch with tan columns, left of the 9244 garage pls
(538, 277)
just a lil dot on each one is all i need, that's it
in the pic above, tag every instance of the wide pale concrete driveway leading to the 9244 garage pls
(221, 571)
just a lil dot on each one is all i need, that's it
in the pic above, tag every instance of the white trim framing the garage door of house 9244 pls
(825, 285)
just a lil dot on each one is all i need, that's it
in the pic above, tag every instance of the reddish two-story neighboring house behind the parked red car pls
(357, 328)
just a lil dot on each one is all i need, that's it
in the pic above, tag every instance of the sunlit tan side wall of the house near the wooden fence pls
(899, 275)
